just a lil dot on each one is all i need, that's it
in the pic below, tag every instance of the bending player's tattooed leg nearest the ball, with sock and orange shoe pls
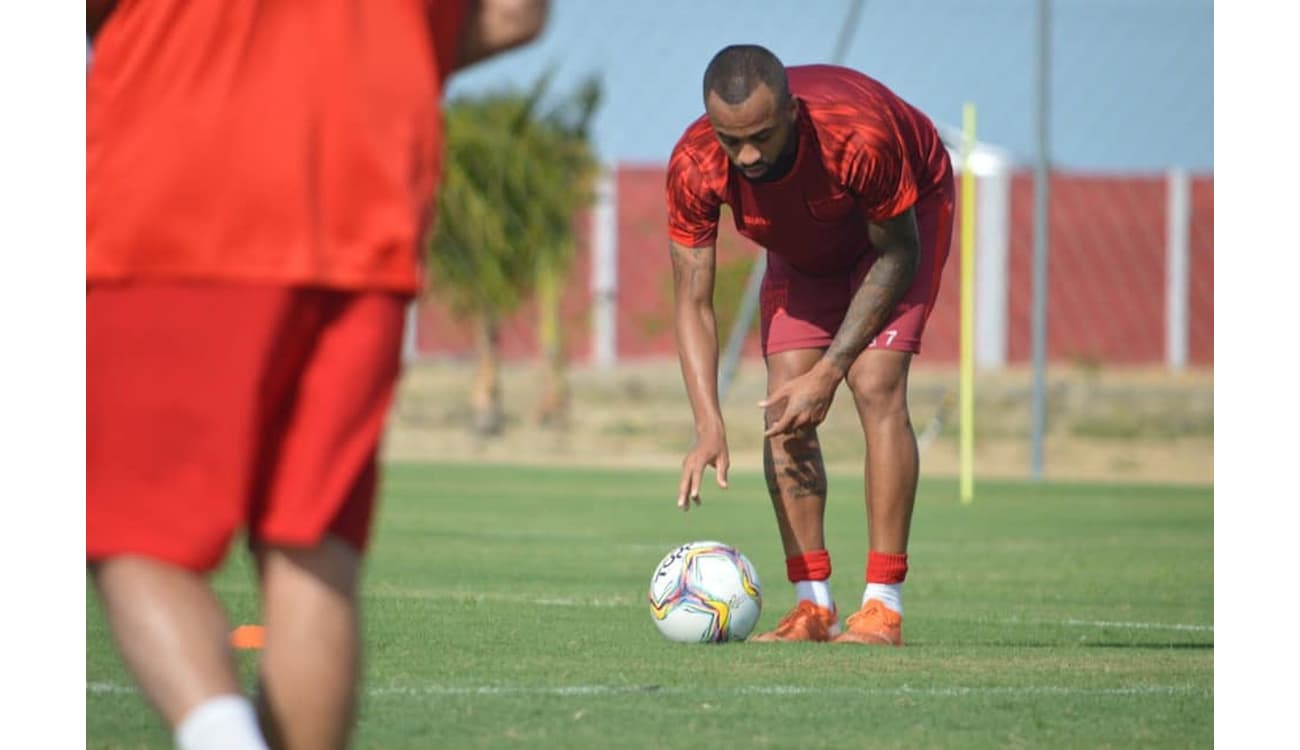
(796, 483)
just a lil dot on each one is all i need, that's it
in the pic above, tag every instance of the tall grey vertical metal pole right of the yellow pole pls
(1041, 245)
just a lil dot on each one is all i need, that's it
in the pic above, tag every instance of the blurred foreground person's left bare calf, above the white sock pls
(171, 632)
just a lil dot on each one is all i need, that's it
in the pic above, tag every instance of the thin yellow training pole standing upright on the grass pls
(968, 365)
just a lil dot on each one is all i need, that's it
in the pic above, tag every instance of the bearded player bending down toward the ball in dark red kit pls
(851, 192)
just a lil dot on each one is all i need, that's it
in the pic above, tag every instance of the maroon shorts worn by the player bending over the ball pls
(801, 311)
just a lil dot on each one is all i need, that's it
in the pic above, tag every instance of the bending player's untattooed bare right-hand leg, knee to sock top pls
(879, 385)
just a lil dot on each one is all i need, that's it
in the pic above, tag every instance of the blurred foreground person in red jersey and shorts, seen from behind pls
(261, 175)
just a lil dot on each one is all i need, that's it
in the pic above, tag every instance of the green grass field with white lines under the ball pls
(505, 608)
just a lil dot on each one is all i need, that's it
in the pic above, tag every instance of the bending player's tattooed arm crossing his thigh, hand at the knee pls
(808, 398)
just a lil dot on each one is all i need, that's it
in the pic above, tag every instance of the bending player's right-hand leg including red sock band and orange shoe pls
(879, 384)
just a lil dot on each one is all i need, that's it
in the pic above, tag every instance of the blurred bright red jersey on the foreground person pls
(266, 141)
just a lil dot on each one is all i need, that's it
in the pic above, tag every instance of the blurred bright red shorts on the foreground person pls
(219, 407)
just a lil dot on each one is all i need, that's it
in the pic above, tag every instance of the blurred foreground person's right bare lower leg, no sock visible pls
(311, 661)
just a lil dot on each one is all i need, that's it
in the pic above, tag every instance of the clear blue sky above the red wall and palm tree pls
(1132, 80)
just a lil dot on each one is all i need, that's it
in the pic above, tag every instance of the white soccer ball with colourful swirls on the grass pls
(705, 592)
